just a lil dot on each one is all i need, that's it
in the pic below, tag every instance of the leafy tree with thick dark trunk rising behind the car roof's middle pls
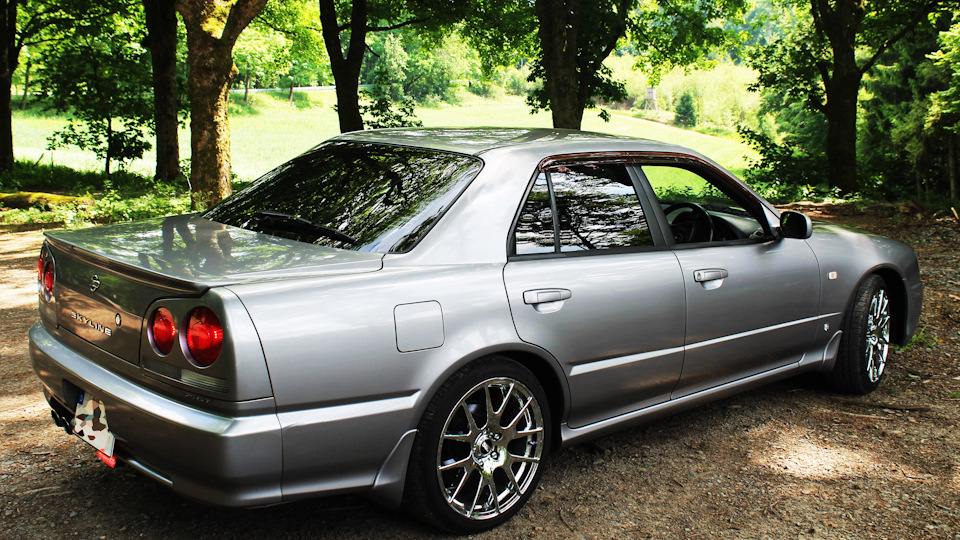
(575, 37)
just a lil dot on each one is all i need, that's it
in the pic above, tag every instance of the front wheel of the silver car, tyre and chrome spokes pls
(866, 340)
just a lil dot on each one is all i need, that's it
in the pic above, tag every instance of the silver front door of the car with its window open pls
(752, 299)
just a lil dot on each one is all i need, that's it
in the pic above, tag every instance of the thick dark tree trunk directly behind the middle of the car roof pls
(559, 23)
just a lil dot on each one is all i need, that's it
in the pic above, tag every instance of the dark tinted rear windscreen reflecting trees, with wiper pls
(357, 196)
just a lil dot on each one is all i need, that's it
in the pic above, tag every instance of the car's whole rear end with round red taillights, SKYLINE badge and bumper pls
(169, 371)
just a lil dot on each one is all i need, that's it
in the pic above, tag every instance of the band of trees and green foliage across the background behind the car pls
(851, 96)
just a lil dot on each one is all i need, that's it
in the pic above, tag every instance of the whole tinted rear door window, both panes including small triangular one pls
(593, 207)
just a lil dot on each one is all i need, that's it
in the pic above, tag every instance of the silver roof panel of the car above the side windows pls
(476, 141)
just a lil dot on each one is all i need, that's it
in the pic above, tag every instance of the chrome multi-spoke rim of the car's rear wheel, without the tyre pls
(490, 448)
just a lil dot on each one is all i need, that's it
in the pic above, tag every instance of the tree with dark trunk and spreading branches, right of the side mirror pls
(826, 60)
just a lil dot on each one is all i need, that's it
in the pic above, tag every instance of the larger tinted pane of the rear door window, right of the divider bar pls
(598, 208)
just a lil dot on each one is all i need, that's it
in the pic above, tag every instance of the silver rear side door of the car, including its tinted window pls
(591, 282)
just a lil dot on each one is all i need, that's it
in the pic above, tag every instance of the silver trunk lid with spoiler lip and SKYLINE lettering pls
(107, 277)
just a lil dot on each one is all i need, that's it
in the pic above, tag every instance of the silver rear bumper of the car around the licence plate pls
(218, 459)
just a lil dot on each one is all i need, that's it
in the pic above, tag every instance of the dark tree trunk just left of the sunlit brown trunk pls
(161, 19)
